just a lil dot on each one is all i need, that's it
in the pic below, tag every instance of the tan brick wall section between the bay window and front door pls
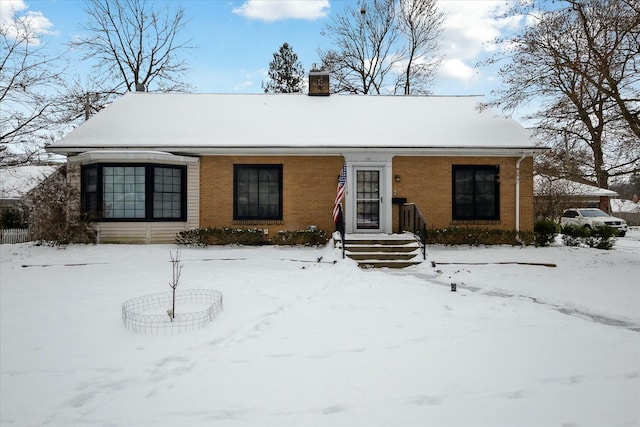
(309, 187)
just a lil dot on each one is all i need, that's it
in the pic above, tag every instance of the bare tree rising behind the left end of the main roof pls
(136, 45)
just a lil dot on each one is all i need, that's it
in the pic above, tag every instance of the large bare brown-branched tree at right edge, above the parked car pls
(585, 77)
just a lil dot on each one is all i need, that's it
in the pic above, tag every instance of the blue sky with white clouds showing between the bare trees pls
(235, 40)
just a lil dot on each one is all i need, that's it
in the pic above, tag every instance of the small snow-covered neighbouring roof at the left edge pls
(17, 181)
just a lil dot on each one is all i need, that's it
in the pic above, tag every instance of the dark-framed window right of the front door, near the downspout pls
(476, 192)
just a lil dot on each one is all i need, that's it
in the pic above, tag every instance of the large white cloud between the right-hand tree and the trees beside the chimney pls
(470, 29)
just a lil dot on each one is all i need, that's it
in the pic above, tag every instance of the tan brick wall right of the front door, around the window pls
(427, 182)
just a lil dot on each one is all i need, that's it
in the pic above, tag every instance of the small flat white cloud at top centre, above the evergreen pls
(269, 10)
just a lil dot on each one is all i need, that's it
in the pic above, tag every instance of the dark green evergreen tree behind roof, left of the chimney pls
(286, 74)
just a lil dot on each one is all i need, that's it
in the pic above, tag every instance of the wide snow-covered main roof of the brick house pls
(201, 123)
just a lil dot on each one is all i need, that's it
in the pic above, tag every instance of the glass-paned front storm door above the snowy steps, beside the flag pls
(368, 199)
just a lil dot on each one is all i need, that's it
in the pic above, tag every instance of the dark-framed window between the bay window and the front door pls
(257, 192)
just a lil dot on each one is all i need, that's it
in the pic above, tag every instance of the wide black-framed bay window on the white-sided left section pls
(134, 192)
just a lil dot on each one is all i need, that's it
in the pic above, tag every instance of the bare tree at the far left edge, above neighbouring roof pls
(29, 75)
